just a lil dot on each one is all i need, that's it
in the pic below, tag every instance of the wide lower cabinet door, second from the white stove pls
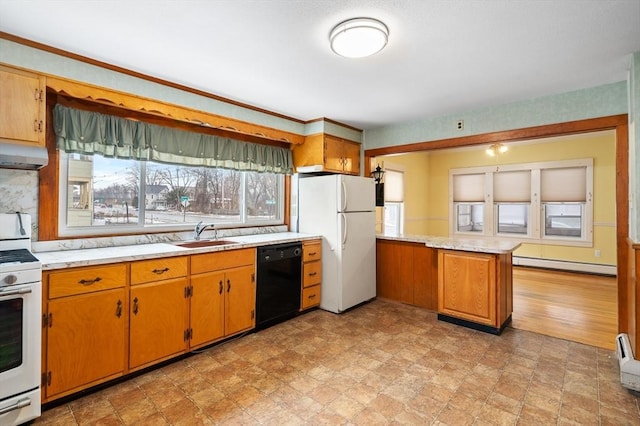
(158, 321)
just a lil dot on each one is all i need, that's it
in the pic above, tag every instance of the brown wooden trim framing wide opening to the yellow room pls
(619, 123)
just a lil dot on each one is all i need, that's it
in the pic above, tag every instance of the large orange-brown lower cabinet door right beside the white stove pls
(85, 339)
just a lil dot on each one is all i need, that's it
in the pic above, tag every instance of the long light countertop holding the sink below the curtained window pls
(97, 256)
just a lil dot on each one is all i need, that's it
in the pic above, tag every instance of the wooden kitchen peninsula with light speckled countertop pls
(468, 282)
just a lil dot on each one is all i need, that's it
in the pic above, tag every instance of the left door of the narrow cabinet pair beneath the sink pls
(207, 307)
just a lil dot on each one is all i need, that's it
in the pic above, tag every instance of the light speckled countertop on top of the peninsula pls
(462, 244)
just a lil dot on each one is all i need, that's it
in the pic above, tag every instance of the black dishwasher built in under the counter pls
(279, 283)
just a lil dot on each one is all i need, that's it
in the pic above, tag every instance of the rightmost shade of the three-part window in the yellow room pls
(564, 184)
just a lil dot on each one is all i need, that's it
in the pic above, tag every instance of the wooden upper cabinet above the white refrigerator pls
(332, 153)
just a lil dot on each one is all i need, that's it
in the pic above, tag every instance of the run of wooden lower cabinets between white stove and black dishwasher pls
(103, 322)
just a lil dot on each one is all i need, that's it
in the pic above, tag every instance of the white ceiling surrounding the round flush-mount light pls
(443, 57)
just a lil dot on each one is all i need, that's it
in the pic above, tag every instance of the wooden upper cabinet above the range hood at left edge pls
(22, 107)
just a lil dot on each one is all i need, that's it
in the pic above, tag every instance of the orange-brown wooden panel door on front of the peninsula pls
(467, 286)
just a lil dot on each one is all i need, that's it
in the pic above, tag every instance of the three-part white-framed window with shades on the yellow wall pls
(549, 201)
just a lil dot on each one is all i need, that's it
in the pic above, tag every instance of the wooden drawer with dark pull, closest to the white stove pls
(86, 280)
